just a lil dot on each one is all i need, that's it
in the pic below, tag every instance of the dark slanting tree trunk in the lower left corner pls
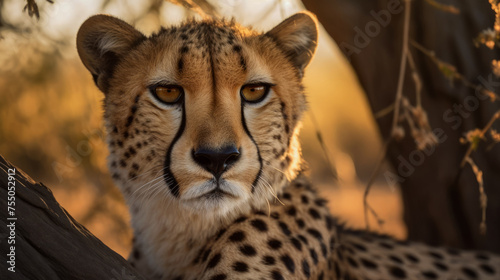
(49, 243)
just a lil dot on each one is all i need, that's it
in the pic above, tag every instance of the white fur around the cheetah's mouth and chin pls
(199, 197)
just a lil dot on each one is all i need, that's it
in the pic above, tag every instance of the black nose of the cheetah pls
(216, 161)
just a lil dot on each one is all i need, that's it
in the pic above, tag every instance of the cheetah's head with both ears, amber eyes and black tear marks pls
(205, 114)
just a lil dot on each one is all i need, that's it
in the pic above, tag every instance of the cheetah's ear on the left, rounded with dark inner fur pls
(101, 41)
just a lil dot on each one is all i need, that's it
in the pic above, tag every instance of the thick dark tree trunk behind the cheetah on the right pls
(441, 199)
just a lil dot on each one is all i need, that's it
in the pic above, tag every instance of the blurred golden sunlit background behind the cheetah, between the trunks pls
(51, 112)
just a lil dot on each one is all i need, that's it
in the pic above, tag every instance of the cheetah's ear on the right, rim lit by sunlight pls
(298, 37)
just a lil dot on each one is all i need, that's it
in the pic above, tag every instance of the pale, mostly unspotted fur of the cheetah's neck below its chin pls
(169, 236)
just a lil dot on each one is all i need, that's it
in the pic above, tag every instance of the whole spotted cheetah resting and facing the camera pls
(203, 121)
